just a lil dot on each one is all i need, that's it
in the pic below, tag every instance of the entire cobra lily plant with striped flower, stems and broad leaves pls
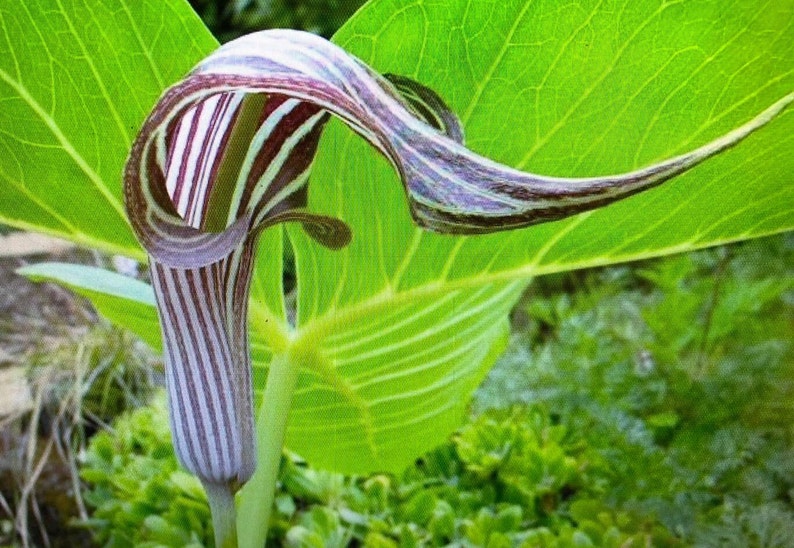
(392, 334)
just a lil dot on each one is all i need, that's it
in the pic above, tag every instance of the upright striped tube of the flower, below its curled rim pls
(206, 356)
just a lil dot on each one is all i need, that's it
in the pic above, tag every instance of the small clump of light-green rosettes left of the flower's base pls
(139, 495)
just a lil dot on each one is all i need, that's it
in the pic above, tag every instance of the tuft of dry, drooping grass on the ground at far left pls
(78, 386)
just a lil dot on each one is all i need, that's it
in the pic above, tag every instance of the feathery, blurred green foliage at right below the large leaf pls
(662, 396)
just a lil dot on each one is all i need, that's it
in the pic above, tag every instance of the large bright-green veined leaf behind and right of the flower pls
(401, 319)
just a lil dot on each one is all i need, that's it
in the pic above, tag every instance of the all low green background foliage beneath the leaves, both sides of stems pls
(645, 403)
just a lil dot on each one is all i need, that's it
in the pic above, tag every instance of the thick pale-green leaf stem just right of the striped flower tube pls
(256, 497)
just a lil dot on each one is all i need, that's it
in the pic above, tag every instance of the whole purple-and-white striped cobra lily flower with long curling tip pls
(227, 152)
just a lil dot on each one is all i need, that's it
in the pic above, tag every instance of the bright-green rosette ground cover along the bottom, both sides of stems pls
(509, 478)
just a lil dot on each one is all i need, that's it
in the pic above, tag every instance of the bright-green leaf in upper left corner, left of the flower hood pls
(76, 81)
